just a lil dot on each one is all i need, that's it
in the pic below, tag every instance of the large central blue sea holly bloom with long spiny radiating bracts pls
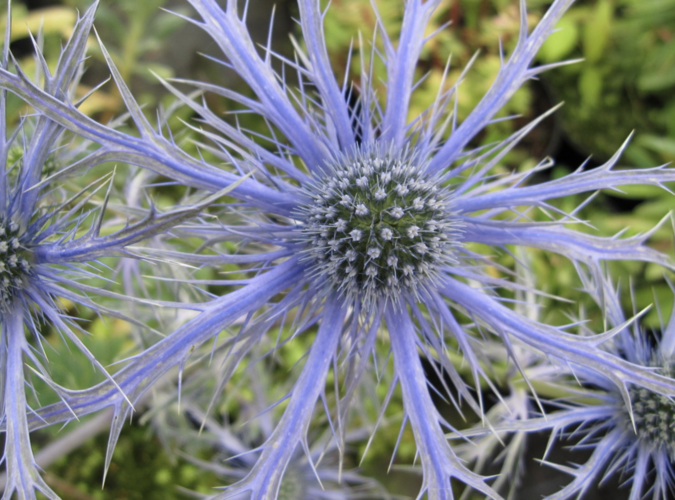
(361, 223)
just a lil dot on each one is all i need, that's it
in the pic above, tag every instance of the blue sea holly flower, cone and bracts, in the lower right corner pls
(629, 434)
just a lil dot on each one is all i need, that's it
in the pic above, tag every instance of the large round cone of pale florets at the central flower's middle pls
(377, 226)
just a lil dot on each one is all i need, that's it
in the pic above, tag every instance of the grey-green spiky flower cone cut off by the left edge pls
(13, 262)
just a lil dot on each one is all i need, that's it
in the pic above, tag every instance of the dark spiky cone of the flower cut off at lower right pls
(654, 416)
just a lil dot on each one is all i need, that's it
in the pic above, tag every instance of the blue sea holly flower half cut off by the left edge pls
(53, 234)
